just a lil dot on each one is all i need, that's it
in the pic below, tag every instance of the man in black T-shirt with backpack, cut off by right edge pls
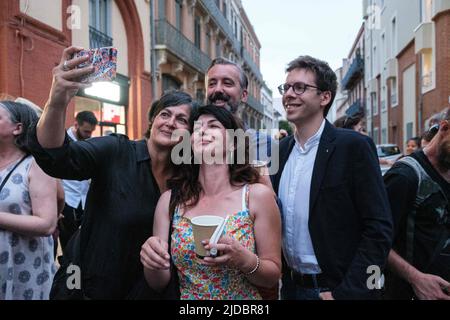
(418, 187)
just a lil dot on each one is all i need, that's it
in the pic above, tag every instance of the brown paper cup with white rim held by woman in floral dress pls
(203, 227)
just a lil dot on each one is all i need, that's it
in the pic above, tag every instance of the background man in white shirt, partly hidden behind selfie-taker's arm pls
(75, 191)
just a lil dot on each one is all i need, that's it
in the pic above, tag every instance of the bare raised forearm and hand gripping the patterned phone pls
(50, 129)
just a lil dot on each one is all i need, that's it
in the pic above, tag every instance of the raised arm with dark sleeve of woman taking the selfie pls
(48, 141)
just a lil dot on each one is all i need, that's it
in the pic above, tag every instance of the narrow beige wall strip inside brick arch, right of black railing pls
(119, 36)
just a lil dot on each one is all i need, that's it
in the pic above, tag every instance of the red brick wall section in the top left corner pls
(29, 51)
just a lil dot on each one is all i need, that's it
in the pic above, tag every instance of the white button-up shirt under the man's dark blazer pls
(294, 193)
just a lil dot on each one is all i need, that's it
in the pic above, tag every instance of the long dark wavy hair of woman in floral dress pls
(185, 186)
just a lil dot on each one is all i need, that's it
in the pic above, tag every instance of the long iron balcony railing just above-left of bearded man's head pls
(170, 37)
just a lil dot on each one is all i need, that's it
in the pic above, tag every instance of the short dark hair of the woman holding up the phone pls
(171, 98)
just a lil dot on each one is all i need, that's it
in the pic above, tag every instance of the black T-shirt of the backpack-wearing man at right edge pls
(401, 183)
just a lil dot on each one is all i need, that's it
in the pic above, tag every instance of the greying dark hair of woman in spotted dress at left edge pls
(20, 113)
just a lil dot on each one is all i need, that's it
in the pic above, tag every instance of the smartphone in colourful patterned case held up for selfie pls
(104, 61)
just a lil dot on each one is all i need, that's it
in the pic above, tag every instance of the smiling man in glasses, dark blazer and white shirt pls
(337, 225)
